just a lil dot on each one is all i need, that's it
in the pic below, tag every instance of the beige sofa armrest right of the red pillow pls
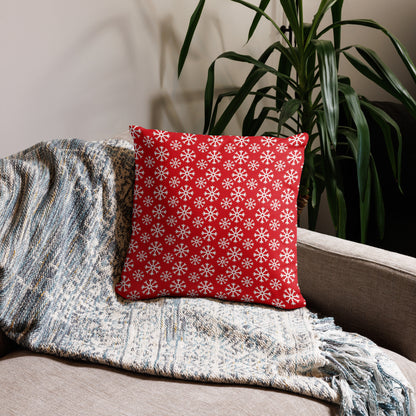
(367, 290)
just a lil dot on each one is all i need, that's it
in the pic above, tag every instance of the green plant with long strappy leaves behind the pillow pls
(306, 93)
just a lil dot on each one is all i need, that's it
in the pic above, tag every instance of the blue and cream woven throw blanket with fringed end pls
(65, 211)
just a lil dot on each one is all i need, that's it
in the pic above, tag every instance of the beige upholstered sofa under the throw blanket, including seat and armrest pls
(367, 290)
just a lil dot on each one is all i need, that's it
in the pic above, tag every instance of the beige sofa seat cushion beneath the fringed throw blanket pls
(35, 384)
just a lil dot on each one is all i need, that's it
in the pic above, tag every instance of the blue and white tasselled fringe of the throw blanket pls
(367, 382)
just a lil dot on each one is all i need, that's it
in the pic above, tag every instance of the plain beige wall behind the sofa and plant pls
(88, 68)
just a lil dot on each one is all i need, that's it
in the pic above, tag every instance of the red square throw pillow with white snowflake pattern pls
(214, 216)
